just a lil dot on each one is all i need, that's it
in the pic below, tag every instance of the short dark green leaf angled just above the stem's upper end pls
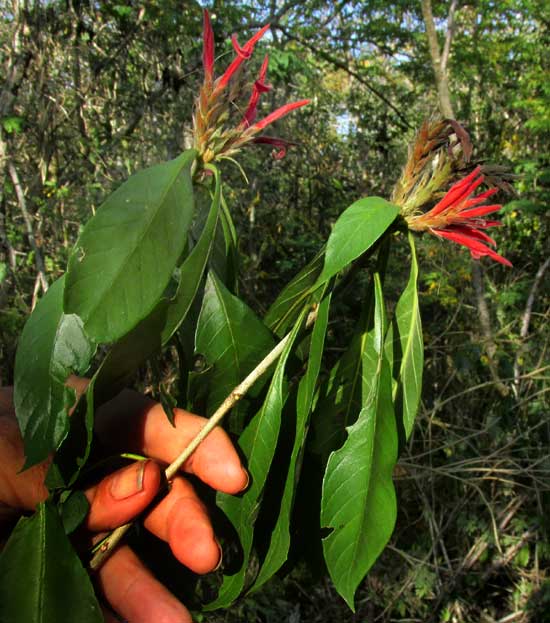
(291, 300)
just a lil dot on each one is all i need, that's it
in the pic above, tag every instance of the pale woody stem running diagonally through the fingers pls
(107, 545)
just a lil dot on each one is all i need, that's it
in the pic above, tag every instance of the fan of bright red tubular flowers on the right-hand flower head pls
(459, 217)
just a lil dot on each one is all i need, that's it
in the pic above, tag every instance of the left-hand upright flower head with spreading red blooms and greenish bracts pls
(212, 139)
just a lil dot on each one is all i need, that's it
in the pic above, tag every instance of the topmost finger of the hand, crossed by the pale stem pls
(215, 461)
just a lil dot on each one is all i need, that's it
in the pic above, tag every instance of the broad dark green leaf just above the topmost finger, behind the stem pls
(231, 337)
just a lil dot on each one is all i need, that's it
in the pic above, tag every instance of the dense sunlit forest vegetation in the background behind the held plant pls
(93, 92)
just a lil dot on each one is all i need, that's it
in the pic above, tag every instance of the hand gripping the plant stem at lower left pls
(133, 423)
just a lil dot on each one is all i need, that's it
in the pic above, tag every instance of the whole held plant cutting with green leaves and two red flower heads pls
(154, 270)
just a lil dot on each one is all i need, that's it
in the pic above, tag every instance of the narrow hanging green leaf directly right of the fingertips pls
(258, 442)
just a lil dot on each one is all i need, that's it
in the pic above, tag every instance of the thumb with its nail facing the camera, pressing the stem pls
(122, 495)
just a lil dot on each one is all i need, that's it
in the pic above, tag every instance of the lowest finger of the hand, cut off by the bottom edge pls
(135, 594)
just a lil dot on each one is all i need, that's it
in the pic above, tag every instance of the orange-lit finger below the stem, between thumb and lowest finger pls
(182, 521)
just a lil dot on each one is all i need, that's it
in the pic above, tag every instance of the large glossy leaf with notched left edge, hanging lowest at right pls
(358, 500)
